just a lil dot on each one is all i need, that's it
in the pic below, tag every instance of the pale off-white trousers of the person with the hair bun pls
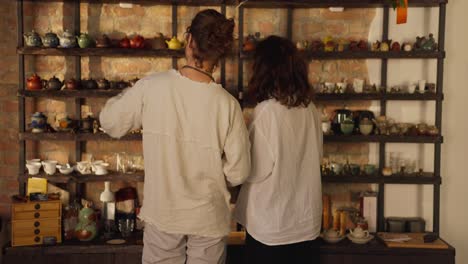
(163, 248)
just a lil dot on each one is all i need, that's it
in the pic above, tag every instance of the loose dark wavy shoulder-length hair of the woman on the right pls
(279, 72)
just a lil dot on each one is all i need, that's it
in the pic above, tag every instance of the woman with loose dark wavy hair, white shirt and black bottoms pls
(280, 202)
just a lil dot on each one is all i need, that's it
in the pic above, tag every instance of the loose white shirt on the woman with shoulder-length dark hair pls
(281, 201)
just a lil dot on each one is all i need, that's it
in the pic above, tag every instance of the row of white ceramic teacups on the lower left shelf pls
(50, 167)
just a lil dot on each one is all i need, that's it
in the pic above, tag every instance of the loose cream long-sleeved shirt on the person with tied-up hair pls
(195, 144)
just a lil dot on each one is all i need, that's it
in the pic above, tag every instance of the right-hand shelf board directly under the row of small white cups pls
(378, 96)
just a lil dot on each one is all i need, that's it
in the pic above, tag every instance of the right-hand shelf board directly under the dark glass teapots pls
(383, 139)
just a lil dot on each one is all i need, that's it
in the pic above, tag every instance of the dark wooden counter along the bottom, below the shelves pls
(345, 252)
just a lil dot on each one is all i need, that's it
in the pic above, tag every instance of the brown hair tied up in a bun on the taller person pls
(212, 33)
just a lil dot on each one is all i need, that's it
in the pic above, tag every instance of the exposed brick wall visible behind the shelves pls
(148, 21)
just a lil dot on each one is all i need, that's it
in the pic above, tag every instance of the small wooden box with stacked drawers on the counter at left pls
(32, 221)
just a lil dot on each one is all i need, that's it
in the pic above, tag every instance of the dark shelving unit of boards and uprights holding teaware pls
(384, 98)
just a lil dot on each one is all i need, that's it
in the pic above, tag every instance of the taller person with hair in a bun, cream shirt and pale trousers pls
(195, 145)
